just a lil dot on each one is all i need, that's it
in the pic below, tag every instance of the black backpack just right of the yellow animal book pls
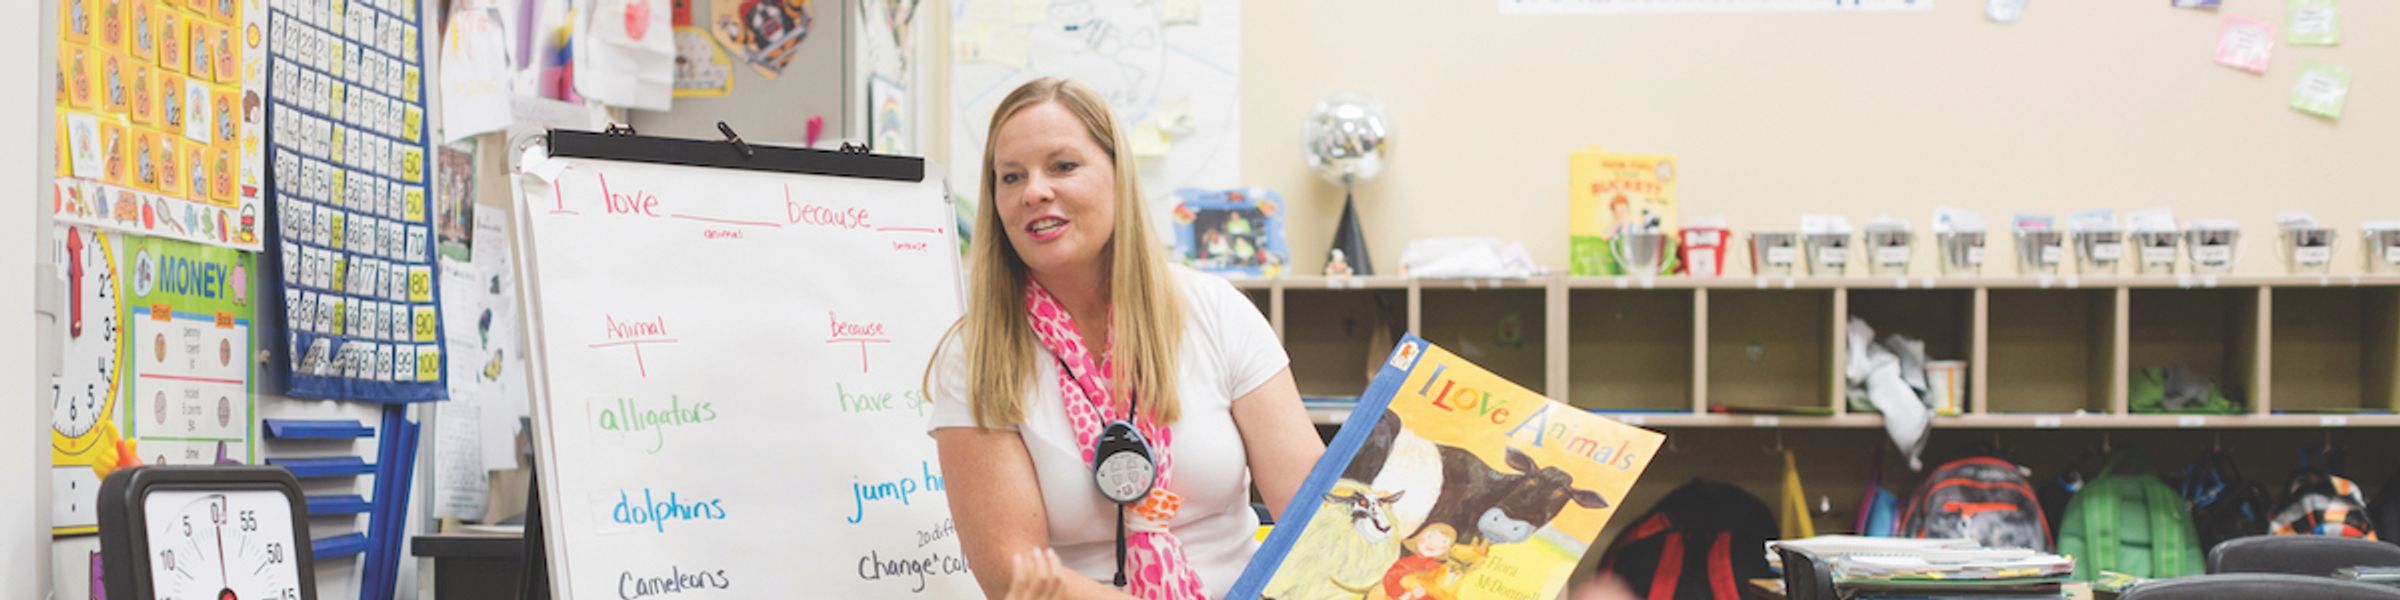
(1698, 544)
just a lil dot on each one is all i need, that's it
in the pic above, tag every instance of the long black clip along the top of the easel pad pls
(728, 155)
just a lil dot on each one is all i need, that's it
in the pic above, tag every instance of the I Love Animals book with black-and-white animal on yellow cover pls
(1448, 484)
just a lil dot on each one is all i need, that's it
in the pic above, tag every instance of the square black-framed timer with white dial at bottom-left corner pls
(205, 534)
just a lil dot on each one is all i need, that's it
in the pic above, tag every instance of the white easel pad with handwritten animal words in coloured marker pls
(728, 380)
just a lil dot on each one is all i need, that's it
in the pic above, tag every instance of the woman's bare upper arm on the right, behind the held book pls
(1278, 438)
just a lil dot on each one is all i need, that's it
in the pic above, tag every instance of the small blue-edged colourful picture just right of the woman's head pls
(1232, 232)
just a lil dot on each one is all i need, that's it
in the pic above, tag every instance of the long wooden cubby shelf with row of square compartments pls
(2044, 352)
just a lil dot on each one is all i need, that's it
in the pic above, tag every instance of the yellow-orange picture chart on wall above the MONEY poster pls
(160, 119)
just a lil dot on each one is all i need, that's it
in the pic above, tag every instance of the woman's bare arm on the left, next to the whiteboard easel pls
(997, 505)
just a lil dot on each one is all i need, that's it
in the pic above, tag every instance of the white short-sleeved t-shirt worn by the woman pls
(1228, 352)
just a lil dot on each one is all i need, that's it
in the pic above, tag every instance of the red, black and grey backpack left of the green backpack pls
(1981, 500)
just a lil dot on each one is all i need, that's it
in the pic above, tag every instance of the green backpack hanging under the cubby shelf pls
(2130, 522)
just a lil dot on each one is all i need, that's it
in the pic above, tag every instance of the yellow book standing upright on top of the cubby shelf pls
(1616, 193)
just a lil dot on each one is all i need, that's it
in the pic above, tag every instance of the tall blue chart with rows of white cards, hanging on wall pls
(349, 152)
